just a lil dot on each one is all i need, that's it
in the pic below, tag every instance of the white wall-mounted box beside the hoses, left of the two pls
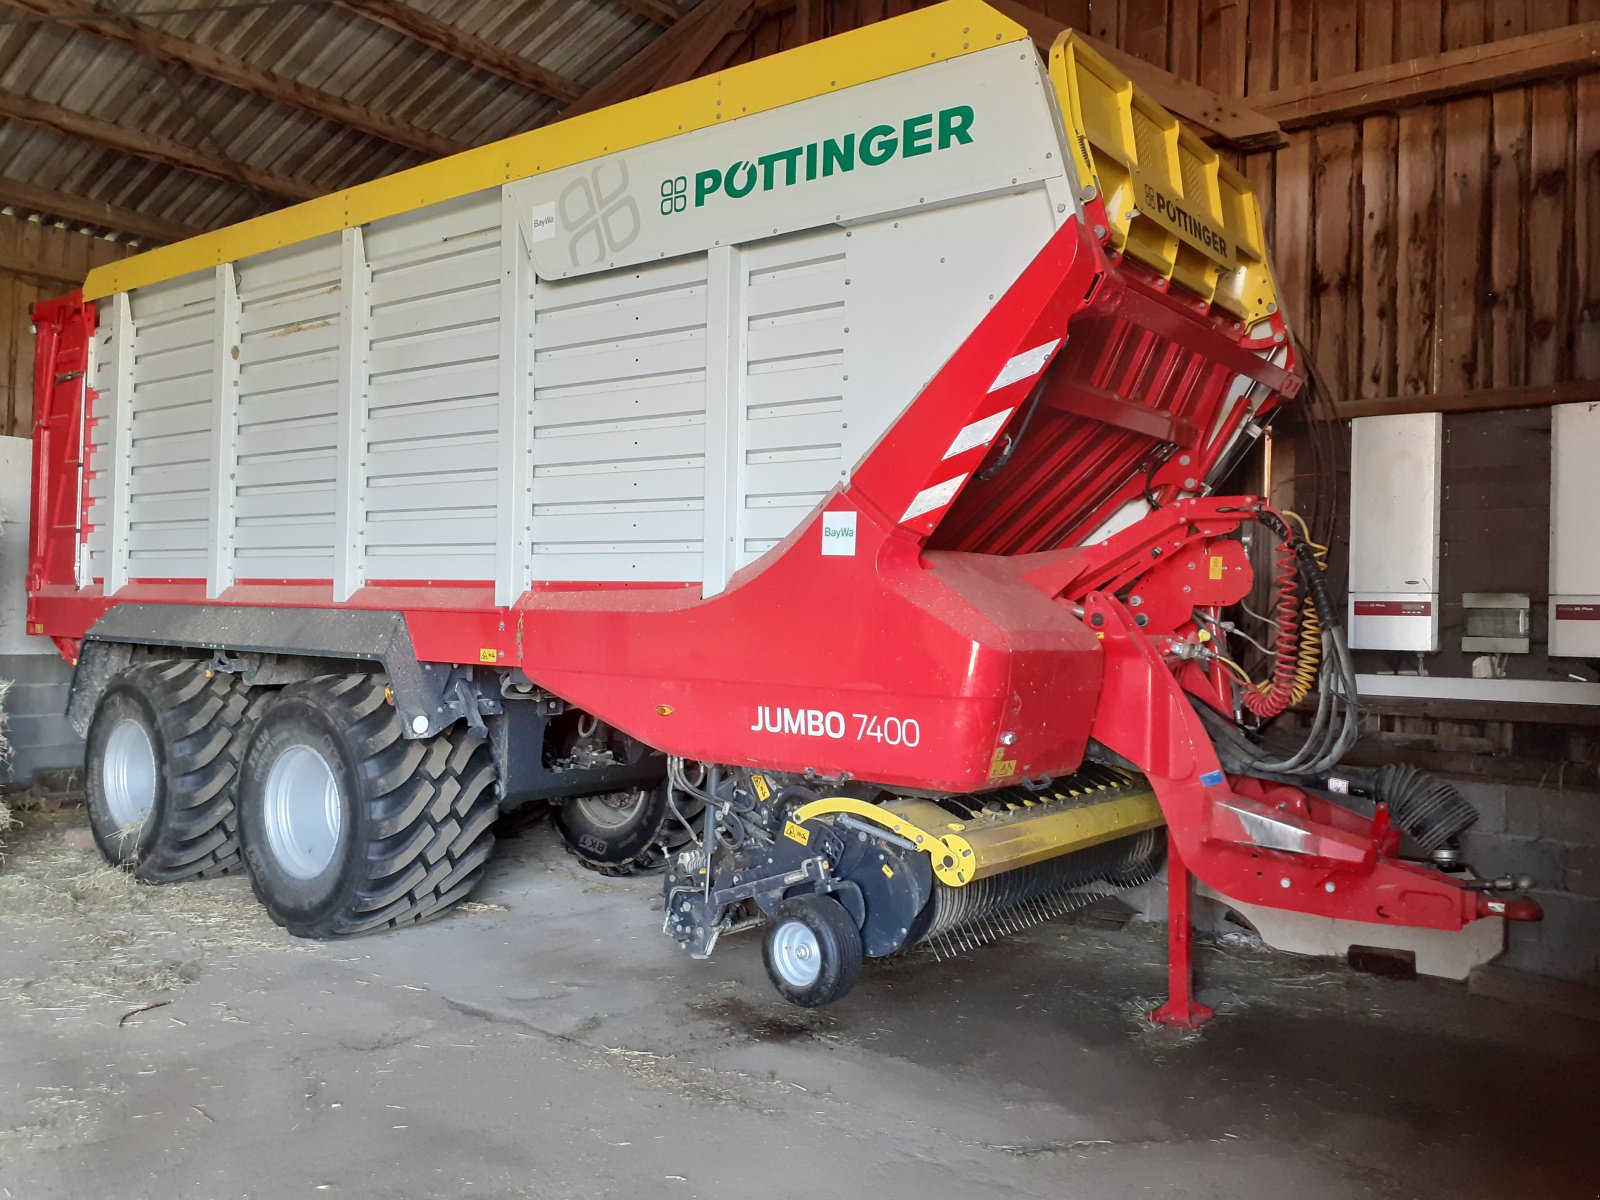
(1394, 532)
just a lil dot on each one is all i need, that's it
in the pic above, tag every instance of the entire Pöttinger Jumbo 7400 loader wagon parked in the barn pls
(801, 479)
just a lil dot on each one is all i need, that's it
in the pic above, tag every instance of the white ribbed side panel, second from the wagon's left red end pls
(175, 327)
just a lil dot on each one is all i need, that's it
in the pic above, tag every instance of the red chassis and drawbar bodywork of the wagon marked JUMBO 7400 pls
(948, 662)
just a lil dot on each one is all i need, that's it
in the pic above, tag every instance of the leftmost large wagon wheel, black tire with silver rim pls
(194, 726)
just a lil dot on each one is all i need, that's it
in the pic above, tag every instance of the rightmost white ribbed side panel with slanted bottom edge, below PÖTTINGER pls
(793, 386)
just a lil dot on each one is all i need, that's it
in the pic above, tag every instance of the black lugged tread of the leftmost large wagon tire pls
(204, 718)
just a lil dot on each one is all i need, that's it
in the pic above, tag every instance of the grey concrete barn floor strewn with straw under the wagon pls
(551, 1042)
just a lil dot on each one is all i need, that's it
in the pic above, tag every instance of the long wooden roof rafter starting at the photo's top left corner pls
(236, 73)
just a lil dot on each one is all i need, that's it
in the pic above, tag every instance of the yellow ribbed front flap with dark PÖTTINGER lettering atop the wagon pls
(1170, 201)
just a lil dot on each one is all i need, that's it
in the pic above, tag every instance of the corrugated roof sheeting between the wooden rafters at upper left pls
(311, 42)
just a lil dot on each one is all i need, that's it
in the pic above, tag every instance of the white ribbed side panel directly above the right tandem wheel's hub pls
(289, 404)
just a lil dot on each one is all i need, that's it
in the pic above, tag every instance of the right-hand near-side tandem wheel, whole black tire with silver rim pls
(415, 820)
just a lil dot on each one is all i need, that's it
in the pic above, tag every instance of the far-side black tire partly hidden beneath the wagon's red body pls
(626, 833)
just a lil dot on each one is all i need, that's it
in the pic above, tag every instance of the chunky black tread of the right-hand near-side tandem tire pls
(433, 804)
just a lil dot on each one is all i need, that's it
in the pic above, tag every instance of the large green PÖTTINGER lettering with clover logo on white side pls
(914, 137)
